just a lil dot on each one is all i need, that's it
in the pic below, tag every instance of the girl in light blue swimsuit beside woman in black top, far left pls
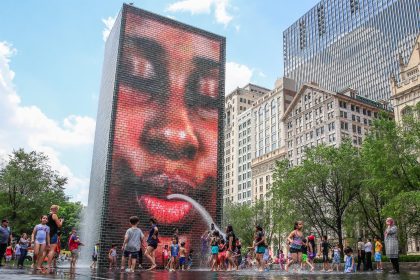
(41, 239)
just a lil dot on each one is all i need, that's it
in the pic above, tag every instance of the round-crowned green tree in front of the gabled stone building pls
(323, 187)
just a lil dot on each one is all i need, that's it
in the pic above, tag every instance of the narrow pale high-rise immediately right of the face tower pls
(237, 133)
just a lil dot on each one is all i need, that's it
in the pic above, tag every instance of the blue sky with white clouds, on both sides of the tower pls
(51, 55)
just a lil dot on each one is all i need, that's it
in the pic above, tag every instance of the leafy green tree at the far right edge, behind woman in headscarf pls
(390, 157)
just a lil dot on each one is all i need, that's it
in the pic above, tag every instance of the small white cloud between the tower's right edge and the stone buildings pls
(237, 75)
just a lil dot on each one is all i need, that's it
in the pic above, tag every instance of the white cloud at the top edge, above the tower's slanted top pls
(204, 6)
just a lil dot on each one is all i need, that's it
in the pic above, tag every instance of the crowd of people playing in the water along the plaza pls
(220, 251)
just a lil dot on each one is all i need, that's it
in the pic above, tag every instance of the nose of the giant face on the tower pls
(171, 133)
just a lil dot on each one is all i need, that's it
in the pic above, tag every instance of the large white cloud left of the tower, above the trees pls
(28, 127)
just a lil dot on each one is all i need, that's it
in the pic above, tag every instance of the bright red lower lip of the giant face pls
(165, 211)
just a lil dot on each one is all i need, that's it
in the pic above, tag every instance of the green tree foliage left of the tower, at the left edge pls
(28, 187)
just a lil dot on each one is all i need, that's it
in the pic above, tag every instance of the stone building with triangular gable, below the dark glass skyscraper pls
(319, 116)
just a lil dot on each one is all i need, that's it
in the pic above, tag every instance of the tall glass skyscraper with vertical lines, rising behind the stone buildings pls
(352, 43)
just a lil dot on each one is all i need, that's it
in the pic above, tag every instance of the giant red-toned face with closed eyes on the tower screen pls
(166, 129)
